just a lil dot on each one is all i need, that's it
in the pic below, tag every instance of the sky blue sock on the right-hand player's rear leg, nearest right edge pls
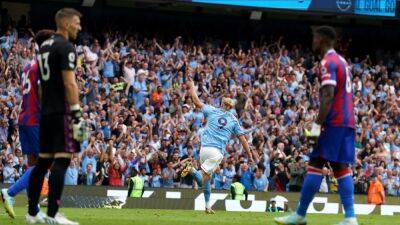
(346, 192)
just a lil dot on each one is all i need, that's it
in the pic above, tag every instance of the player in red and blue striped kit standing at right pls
(334, 129)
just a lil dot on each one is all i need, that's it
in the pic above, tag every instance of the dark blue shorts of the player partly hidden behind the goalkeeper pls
(29, 138)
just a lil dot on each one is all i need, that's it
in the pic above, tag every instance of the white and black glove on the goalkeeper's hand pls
(79, 126)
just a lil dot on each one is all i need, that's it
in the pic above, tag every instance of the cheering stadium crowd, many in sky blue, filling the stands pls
(135, 99)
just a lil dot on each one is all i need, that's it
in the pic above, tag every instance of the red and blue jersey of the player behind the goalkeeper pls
(30, 107)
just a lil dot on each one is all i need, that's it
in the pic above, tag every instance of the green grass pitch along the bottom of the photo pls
(187, 217)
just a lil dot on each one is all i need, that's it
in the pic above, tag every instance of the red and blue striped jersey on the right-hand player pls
(335, 71)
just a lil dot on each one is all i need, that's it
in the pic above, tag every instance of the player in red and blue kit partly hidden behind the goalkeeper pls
(28, 125)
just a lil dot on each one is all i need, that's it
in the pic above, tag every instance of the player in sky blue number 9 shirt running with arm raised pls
(221, 125)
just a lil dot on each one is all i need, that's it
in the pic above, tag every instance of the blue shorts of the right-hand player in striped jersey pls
(336, 144)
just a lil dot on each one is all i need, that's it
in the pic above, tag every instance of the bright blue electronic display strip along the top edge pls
(384, 8)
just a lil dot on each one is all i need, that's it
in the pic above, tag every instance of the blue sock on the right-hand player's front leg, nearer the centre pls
(310, 187)
